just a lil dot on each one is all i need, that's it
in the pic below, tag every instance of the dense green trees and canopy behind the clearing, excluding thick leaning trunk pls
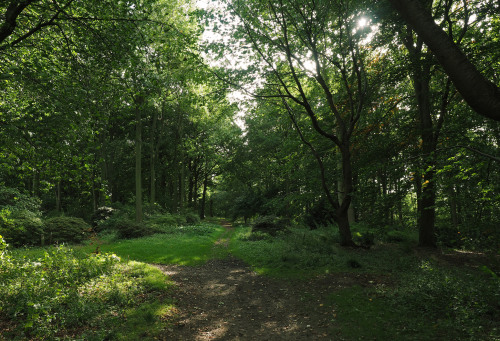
(343, 116)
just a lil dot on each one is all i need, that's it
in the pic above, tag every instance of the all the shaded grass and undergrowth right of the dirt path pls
(426, 300)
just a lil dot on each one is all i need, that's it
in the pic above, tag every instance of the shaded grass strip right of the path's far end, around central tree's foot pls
(303, 253)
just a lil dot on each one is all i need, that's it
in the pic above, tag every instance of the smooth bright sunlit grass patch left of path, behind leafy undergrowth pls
(190, 245)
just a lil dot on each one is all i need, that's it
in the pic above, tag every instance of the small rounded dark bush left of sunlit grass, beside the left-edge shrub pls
(66, 230)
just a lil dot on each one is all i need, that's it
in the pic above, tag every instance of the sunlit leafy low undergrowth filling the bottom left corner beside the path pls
(64, 292)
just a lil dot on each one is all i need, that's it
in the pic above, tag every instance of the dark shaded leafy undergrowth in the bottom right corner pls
(460, 304)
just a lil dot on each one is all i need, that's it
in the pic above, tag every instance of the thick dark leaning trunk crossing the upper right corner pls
(481, 94)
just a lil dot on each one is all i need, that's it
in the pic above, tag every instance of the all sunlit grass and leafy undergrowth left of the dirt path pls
(75, 293)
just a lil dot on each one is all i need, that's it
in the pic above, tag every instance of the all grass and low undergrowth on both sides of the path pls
(57, 292)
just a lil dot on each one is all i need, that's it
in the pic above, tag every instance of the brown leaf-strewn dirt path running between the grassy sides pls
(225, 300)
